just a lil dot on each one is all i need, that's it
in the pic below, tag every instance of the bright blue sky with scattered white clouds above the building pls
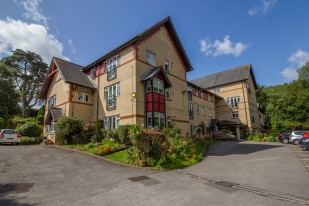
(217, 35)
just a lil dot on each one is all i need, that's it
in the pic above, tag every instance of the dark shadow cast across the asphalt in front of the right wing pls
(230, 148)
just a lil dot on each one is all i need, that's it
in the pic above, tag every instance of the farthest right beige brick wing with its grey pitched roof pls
(236, 104)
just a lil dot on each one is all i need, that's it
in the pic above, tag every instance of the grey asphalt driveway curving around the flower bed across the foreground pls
(233, 174)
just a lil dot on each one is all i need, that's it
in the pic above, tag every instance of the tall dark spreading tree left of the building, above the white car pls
(26, 70)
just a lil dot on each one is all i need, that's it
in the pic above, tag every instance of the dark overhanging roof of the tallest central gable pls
(170, 27)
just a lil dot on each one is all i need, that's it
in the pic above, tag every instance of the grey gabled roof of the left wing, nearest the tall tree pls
(71, 73)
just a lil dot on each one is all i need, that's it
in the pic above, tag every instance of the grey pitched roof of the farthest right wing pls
(226, 77)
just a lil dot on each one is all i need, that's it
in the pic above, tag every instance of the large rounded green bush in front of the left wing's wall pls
(67, 128)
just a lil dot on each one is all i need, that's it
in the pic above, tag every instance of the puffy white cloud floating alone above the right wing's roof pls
(225, 47)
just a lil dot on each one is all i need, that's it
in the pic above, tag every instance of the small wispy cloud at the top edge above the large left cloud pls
(33, 11)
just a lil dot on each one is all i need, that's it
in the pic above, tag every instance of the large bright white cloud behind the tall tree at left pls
(15, 34)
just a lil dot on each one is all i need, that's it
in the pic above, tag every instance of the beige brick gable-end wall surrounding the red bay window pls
(161, 45)
